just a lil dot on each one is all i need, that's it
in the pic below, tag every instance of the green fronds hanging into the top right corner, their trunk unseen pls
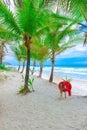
(77, 8)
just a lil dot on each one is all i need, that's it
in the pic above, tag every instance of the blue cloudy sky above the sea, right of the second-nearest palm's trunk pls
(73, 57)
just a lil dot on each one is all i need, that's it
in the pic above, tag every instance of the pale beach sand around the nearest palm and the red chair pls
(41, 109)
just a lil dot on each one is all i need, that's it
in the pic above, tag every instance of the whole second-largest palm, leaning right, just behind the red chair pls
(56, 46)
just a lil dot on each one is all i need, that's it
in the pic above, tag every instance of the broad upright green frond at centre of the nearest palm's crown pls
(26, 16)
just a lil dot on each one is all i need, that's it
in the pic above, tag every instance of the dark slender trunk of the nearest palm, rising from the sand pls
(27, 70)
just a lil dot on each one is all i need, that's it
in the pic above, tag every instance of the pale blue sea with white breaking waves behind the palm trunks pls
(72, 73)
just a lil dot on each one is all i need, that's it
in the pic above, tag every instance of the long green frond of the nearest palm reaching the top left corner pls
(8, 19)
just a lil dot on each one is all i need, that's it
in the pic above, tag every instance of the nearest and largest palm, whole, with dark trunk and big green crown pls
(25, 23)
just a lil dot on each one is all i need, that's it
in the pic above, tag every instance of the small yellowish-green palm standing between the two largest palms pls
(39, 53)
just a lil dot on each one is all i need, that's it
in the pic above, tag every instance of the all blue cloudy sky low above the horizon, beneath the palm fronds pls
(73, 57)
